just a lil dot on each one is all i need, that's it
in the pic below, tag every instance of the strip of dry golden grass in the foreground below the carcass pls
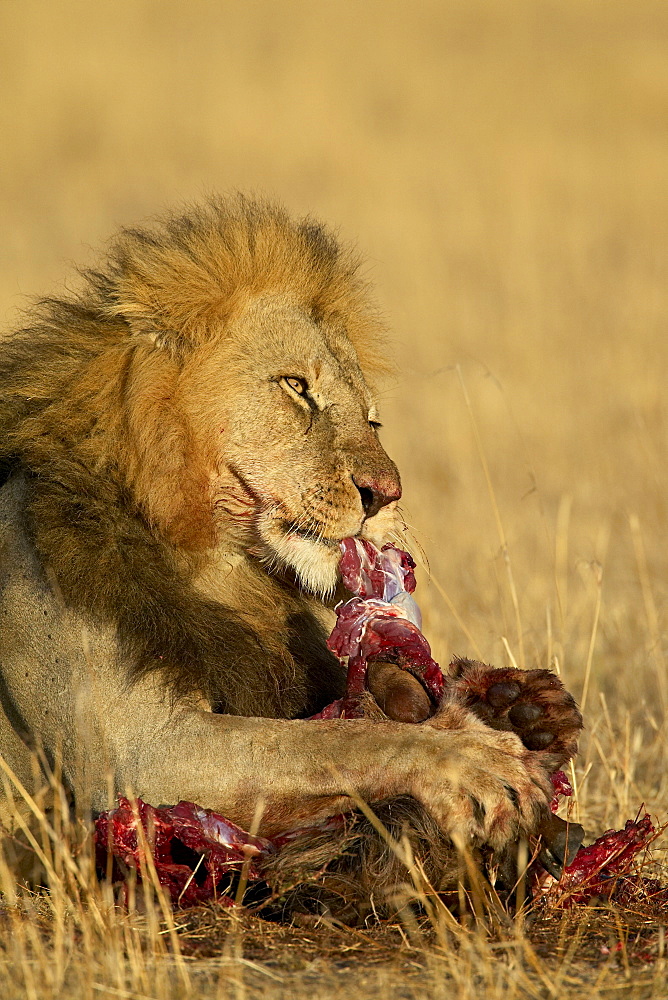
(76, 940)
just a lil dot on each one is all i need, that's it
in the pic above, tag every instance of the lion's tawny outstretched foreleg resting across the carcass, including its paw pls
(480, 786)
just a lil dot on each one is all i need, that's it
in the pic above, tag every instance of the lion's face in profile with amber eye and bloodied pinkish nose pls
(297, 464)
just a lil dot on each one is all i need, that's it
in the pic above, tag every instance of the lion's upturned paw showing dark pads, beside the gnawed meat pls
(533, 704)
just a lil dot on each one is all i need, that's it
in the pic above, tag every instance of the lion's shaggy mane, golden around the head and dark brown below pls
(87, 410)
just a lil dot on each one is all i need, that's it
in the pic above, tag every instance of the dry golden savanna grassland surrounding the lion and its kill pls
(503, 167)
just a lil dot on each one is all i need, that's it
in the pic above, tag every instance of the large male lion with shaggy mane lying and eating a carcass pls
(185, 442)
